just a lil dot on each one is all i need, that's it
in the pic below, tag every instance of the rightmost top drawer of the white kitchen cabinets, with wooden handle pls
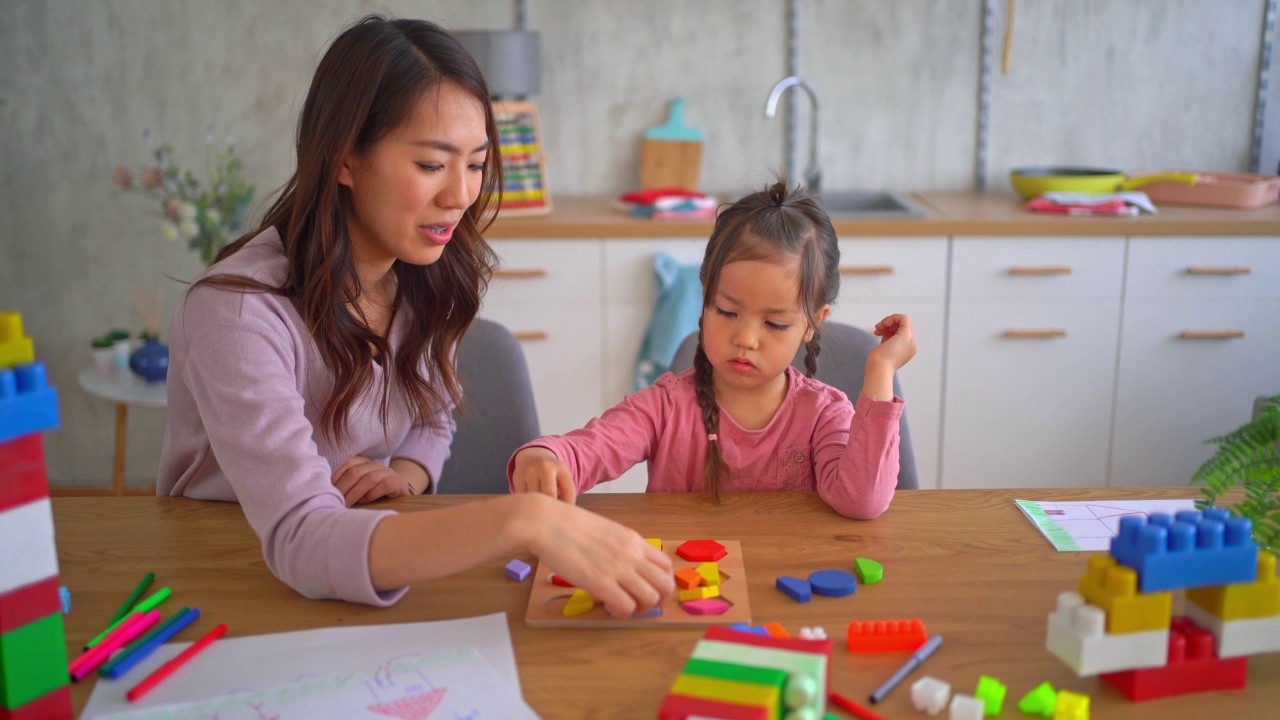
(1208, 268)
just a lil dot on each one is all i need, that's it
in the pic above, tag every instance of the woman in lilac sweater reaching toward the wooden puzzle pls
(312, 367)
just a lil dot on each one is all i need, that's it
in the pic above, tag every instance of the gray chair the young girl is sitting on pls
(842, 364)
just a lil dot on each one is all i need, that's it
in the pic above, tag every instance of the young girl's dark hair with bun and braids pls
(772, 225)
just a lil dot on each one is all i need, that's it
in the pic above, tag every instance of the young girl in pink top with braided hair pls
(743, 418)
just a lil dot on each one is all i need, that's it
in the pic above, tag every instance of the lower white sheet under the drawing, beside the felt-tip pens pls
(254, 663)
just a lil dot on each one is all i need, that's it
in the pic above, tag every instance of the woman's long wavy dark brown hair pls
(368, 85)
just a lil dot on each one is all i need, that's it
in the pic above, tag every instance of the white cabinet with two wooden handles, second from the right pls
(1031, 362)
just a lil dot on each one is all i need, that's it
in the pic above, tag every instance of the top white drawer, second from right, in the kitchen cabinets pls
(1036, 268)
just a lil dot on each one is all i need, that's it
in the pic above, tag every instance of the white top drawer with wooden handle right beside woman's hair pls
(546, 271)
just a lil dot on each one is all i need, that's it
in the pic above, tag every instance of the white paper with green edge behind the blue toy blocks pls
(1091, 525)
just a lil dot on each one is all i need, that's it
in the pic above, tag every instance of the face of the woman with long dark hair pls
(410, 192)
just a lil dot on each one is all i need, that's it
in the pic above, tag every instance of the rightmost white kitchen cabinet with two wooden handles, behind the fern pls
(1200, 341)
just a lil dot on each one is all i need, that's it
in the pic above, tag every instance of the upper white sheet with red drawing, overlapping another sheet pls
(458, 685)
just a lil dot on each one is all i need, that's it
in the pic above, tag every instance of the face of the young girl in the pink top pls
(755, 326)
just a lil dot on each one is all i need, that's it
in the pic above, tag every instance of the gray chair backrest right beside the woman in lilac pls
(499, 412)
